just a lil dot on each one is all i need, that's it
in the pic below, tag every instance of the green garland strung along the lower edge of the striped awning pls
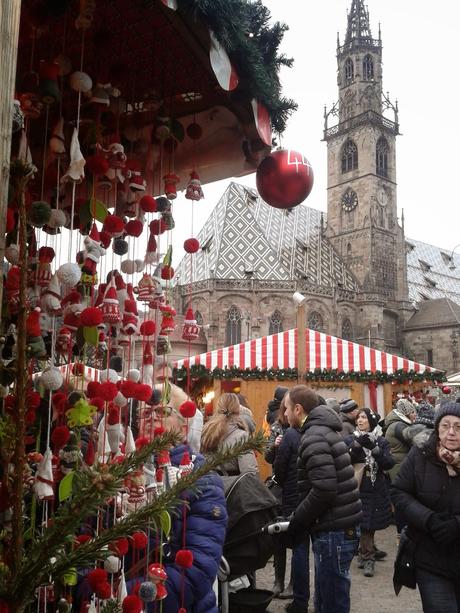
(290, 374)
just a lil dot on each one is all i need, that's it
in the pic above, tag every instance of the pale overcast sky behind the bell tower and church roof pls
(420, 70)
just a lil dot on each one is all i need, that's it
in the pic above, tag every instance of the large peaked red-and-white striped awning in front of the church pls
(323, 351)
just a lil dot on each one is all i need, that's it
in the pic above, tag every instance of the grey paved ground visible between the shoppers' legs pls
(368, 595)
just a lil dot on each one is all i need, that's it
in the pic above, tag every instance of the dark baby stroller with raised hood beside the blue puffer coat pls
(248, 546)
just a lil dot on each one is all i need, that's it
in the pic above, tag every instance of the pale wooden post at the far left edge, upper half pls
(10, 12)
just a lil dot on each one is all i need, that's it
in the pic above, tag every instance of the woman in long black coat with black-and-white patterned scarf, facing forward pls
(370, 448)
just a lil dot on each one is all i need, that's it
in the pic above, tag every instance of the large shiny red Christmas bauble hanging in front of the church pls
(284, 178)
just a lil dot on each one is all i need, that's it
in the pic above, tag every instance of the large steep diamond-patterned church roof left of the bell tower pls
(244, 234)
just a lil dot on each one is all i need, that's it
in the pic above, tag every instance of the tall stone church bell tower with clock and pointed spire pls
(361, 203)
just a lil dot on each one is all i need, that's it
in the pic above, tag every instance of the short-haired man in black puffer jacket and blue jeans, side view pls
(329, 505)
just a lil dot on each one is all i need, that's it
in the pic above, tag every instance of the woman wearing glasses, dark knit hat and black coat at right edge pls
(427, 492)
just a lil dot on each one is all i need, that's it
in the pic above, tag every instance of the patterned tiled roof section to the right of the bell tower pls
(432, 272)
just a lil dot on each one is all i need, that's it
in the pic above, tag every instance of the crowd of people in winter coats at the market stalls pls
(342, 472)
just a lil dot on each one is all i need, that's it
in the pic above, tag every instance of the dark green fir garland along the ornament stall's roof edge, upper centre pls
(242, 27)
